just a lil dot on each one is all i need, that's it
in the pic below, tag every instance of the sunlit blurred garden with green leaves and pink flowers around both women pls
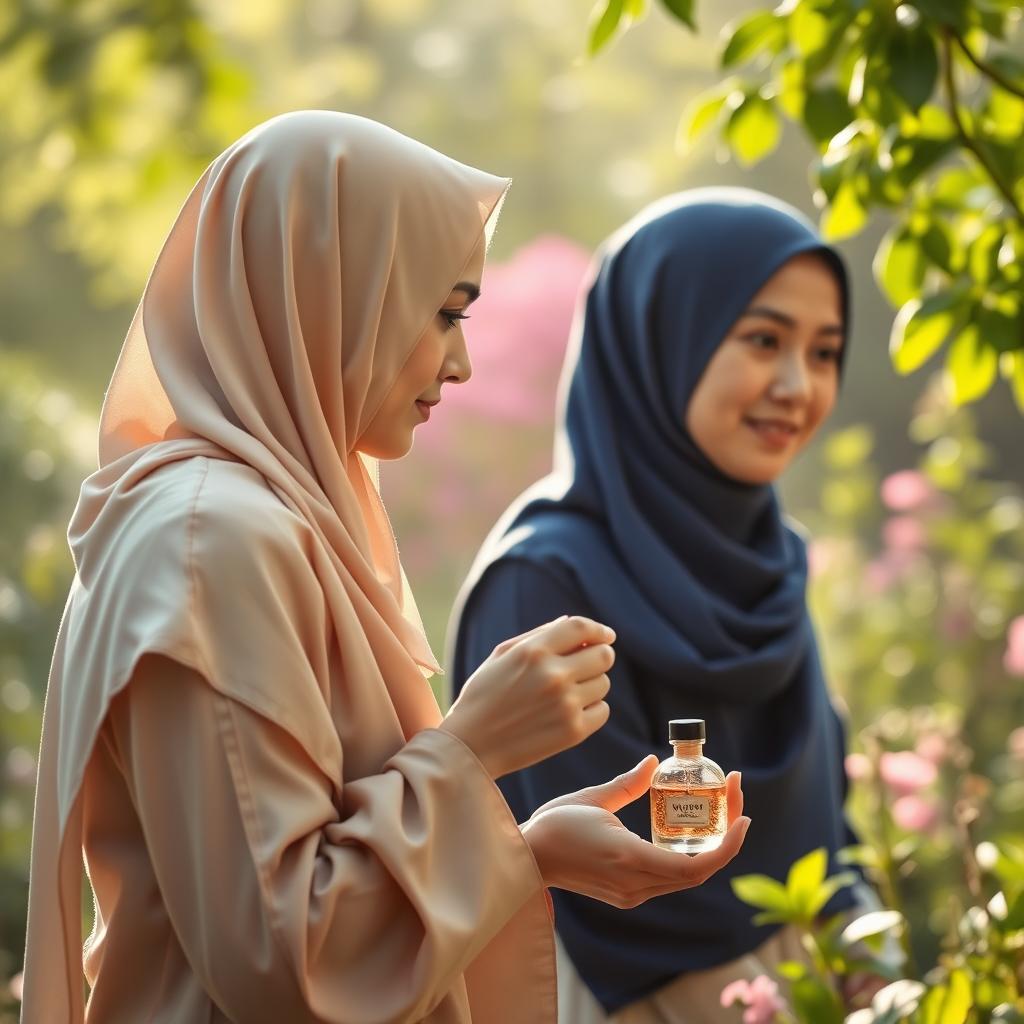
(899, 125)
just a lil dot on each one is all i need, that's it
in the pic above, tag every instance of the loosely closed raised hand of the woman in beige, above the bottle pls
(539, 694)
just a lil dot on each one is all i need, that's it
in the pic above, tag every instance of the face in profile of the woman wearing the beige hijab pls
(440, 358)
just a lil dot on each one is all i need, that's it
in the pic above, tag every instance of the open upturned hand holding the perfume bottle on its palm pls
(580, 845)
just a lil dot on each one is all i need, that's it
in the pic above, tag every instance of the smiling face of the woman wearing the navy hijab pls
(774, 379)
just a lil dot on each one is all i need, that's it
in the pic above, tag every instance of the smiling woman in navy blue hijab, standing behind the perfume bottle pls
(708, 353)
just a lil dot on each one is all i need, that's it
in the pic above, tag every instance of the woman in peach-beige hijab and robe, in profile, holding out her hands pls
(239, 738)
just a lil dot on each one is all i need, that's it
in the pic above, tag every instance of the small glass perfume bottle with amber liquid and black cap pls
(689, 807)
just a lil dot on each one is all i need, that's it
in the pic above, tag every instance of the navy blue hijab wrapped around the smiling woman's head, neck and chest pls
(702, 576)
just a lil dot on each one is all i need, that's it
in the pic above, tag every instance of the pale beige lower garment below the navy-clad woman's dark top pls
(692, 999)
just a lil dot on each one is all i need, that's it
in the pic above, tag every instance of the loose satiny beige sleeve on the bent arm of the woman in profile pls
(286, 911)
